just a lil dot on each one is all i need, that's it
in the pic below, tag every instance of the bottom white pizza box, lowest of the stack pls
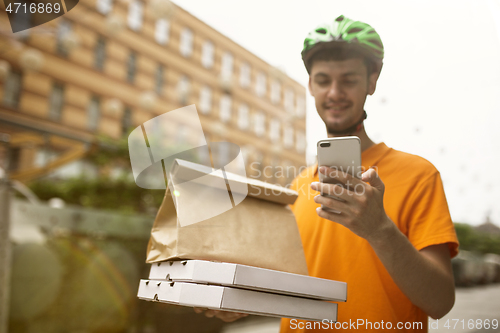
(236, 300)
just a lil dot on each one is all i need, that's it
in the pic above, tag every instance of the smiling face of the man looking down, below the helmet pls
(339, 89)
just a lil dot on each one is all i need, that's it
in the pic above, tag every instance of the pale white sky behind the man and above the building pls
(438, 95)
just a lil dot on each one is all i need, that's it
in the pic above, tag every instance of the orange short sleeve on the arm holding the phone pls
(428, 219)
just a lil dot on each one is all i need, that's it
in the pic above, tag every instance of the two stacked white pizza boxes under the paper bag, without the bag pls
(243, 289)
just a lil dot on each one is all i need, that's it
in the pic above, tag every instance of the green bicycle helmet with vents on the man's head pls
(344, 32)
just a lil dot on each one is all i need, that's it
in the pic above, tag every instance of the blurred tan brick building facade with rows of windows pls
(108, 66)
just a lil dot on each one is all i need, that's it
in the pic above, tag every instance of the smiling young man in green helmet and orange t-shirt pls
(393, 238)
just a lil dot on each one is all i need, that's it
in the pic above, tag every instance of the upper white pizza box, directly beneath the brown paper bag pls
(248, 277)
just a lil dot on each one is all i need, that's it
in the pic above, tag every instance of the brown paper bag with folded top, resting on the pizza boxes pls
(260, 231)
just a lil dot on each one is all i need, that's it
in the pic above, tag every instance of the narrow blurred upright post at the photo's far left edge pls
(5, 246)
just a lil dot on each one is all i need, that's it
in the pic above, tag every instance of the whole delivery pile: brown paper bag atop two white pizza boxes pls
(245, 258)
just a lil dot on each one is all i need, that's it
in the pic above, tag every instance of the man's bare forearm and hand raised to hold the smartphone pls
(424, 276)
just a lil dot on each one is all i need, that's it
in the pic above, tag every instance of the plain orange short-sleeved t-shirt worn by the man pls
(414, 199)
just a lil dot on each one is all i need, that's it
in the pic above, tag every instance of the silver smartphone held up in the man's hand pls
(343, 153)
